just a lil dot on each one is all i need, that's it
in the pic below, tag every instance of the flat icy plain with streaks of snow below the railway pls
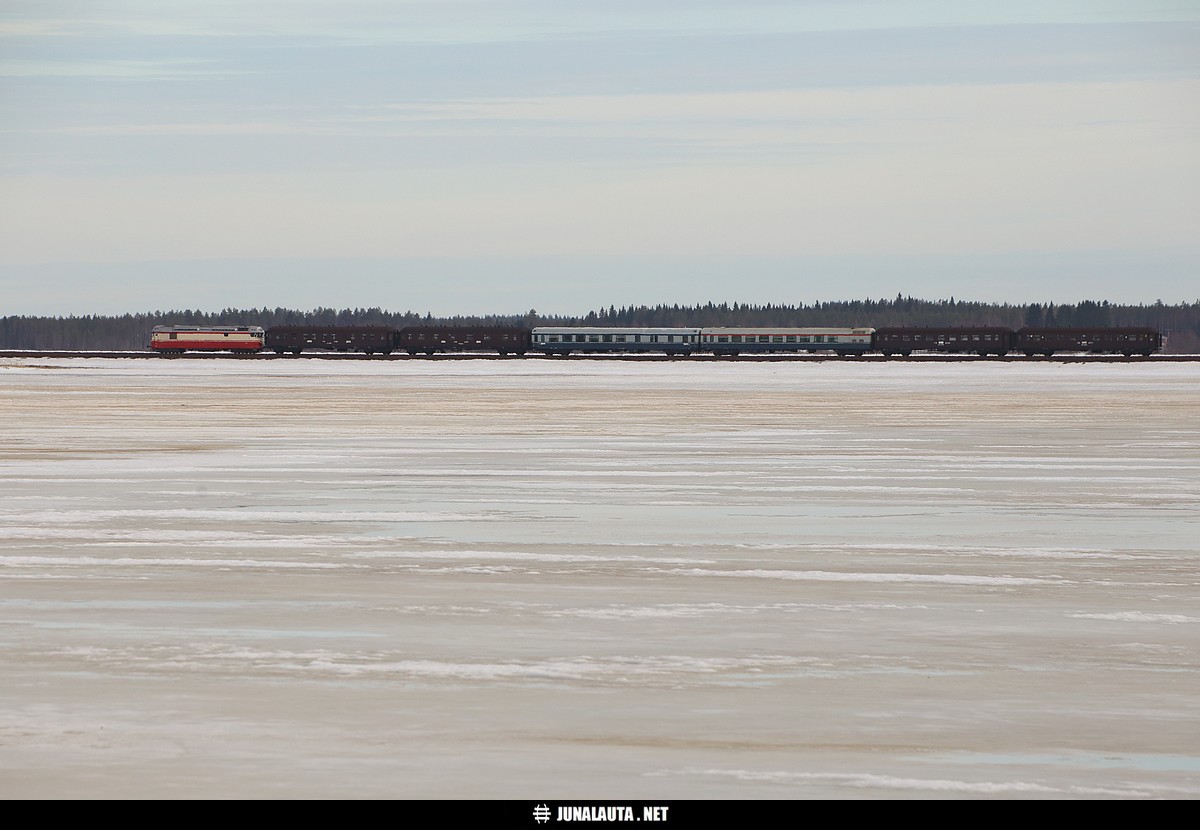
(593, 580)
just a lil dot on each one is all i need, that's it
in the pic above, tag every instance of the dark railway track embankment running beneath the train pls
(652, 359)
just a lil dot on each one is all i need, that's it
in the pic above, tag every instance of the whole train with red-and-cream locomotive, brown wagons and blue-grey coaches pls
(719, 341)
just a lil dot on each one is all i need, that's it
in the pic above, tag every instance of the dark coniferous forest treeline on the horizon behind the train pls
(1180, 323)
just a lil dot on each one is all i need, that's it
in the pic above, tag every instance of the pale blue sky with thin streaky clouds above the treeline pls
(493, 158)
